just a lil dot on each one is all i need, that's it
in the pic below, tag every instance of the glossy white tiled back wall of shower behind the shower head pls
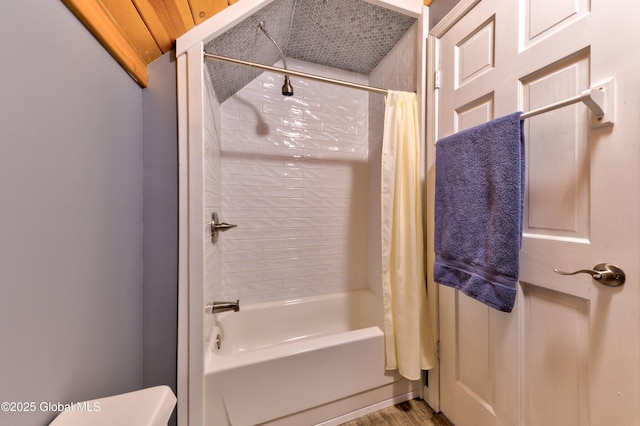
(295, 181)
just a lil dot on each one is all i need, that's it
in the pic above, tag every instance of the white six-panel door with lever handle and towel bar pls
(569, 353)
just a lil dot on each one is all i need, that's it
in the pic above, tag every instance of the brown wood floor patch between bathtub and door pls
(409, 413)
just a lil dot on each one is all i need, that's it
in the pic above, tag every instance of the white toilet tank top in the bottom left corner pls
(146, 407)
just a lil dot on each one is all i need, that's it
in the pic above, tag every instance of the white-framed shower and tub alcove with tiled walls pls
(315, 359)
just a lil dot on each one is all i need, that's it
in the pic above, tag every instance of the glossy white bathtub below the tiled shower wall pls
(305, 361)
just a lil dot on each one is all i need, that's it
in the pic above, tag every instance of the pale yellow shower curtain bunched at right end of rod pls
(409, 341)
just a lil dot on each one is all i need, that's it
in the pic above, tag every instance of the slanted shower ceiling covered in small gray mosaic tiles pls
(351, 35)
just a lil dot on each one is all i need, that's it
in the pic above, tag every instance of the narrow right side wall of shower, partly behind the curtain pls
(397, 71)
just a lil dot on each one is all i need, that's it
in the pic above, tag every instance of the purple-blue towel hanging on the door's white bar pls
(479, 209)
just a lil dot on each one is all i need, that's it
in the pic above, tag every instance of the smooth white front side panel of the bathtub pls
(335, 367)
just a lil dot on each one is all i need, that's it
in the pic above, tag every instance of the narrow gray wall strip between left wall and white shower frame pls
(160, 224)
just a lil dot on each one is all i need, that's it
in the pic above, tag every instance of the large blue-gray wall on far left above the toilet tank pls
(71, 162)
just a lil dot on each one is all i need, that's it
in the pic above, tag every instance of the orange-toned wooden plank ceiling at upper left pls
(136, 32)
